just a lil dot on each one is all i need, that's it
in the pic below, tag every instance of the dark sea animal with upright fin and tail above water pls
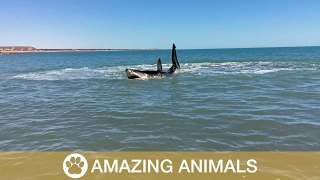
(138, 74)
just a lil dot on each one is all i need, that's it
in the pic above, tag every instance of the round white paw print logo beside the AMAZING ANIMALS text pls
(75, 165)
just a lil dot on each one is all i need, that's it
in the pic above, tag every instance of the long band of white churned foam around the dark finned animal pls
(205, 68)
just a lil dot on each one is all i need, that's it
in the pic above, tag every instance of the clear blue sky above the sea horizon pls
(190, 24)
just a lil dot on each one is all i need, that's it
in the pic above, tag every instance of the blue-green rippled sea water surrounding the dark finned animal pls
(259, 99)
